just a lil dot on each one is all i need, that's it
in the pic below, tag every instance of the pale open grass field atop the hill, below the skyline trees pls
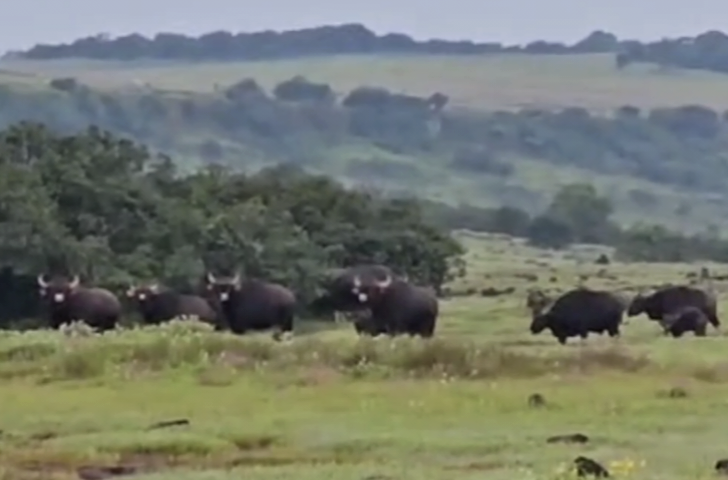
(497, 81)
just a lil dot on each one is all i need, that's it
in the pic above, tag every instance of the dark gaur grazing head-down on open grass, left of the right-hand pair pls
(578, 312)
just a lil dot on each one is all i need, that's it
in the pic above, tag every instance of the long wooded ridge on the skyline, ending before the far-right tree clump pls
(350, 38)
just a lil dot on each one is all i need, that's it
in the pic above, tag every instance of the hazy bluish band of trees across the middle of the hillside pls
(300, 122)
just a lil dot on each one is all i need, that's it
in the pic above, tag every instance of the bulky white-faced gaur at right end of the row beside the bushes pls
(397, 307)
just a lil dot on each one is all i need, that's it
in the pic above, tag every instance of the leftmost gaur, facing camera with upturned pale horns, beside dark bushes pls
(68, 301)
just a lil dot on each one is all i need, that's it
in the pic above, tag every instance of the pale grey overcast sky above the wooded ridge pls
(27, 22)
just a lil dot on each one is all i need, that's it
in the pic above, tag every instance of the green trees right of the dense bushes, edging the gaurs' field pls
(579, 214)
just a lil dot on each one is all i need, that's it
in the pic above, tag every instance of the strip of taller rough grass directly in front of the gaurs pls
(77, 353)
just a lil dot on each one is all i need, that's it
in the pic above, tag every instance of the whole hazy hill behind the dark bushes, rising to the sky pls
(515, 124)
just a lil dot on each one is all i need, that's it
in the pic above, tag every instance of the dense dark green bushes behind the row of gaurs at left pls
(107, 209)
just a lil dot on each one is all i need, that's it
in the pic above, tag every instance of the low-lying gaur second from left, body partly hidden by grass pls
(158, 304)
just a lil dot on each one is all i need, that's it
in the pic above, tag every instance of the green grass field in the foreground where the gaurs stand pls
(327, 405)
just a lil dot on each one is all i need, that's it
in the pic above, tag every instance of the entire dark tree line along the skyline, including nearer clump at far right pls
(706, 51)
